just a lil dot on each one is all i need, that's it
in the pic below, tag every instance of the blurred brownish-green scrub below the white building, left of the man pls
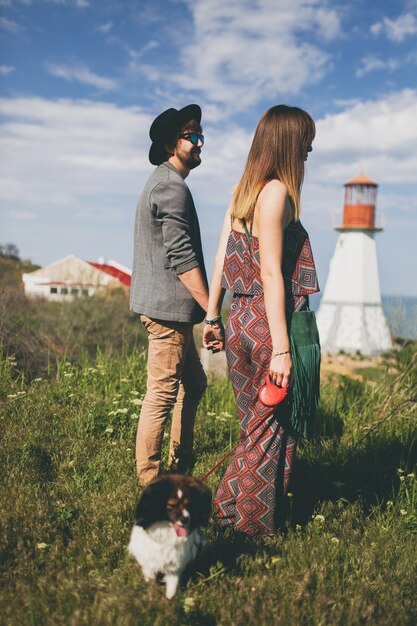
(41, 334)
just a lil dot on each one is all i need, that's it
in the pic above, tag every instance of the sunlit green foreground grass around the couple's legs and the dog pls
(346, 554)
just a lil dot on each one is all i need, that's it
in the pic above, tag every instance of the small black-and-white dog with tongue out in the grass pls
(165, 536)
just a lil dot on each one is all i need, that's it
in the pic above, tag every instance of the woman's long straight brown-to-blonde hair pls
(282, 138)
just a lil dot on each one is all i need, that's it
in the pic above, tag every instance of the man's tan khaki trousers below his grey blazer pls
(175, 377)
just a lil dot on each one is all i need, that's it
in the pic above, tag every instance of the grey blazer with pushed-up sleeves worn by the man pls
(167, 243)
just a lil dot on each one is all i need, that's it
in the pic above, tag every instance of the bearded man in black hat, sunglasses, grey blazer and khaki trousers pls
(169, 291)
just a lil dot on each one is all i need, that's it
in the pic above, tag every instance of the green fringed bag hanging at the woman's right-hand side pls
(305, 355)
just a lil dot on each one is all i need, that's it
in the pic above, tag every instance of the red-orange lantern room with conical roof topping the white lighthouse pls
(360, 201)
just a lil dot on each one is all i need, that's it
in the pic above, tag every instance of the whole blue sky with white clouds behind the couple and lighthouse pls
(82, 80)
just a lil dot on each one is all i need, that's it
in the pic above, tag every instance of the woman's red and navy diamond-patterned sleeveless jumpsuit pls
(261, 467)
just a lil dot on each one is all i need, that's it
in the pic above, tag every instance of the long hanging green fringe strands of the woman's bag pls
(306, 387)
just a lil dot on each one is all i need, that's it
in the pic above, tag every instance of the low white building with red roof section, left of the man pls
(70, 277)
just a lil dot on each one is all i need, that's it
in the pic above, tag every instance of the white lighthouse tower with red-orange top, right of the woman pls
(350, 316)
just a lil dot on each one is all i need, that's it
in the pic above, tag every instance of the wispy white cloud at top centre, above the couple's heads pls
(244, 51)
